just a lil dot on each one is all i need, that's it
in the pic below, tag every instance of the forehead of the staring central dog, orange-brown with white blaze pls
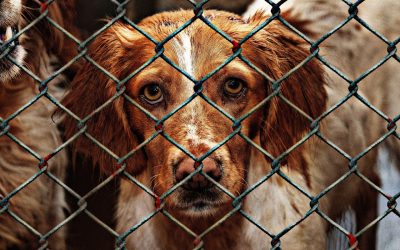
(197, 49)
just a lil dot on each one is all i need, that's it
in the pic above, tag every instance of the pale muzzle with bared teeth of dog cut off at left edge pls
(10, 16)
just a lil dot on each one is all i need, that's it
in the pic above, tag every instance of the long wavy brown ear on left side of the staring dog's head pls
(92, 88)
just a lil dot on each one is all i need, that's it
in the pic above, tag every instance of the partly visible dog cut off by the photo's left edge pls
(41, 49)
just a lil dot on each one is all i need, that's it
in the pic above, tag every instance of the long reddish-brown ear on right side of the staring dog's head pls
(276, 51)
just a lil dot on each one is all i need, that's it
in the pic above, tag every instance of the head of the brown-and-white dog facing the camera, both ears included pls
(197, 127)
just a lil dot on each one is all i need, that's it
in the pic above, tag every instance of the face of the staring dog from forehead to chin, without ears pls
(197, 127)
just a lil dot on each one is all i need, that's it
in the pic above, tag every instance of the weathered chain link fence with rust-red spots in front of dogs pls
(81, 207)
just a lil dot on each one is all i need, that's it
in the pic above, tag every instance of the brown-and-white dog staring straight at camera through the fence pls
(197, 202)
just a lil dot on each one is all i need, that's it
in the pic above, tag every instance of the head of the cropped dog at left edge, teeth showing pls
(16, 15)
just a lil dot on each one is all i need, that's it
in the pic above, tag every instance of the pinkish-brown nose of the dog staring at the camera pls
(198, 182)
